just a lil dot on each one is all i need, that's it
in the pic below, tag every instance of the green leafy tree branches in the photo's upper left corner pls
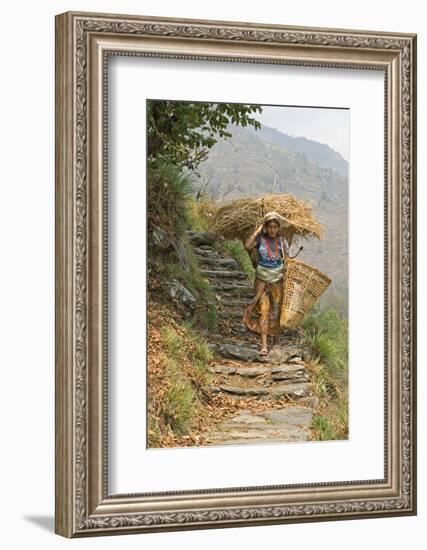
(182, 132)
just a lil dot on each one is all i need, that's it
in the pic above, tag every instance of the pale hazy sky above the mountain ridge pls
(330, 126)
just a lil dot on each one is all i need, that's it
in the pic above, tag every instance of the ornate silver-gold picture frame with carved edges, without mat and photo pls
(84, 506)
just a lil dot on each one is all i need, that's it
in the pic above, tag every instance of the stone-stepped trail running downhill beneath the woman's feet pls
(279, 378)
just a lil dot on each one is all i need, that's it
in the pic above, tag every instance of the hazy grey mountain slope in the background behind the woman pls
(253, 163)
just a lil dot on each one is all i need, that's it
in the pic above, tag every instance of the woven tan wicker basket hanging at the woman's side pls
(304, 285)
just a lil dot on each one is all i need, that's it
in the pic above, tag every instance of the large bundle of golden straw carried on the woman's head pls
(238, 219)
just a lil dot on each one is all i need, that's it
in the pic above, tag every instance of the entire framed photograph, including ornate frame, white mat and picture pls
(235, 274)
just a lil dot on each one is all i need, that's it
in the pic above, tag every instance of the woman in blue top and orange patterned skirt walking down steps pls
(268, 287)
